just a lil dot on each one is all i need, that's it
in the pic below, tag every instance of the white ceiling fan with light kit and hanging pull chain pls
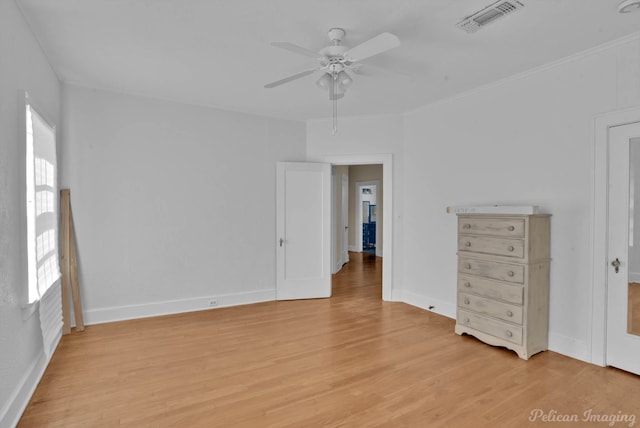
(334, 61)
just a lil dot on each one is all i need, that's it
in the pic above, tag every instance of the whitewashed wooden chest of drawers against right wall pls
(503, 280)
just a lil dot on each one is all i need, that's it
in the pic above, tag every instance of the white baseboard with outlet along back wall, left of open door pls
(120, 313)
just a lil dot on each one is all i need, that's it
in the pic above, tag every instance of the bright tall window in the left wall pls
(42, 206)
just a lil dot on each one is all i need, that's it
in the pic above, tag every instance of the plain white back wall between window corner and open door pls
(172, 204)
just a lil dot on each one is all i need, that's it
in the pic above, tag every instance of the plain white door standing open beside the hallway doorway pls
(303, 206)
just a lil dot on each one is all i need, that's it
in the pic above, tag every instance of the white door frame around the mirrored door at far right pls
(599, 237)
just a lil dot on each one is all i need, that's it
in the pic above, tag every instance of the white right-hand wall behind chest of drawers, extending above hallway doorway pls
(524, 140)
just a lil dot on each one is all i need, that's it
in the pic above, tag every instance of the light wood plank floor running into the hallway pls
(348, 361)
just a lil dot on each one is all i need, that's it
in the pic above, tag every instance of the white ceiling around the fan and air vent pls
(217, 52)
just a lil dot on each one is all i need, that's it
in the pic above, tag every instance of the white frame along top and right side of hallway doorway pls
(386, 160)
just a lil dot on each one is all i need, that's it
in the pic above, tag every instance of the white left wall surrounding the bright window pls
(22, 66)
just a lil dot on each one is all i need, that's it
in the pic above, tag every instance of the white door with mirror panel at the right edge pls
(623, 277)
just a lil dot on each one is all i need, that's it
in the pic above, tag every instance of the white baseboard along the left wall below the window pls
(11, 412)
